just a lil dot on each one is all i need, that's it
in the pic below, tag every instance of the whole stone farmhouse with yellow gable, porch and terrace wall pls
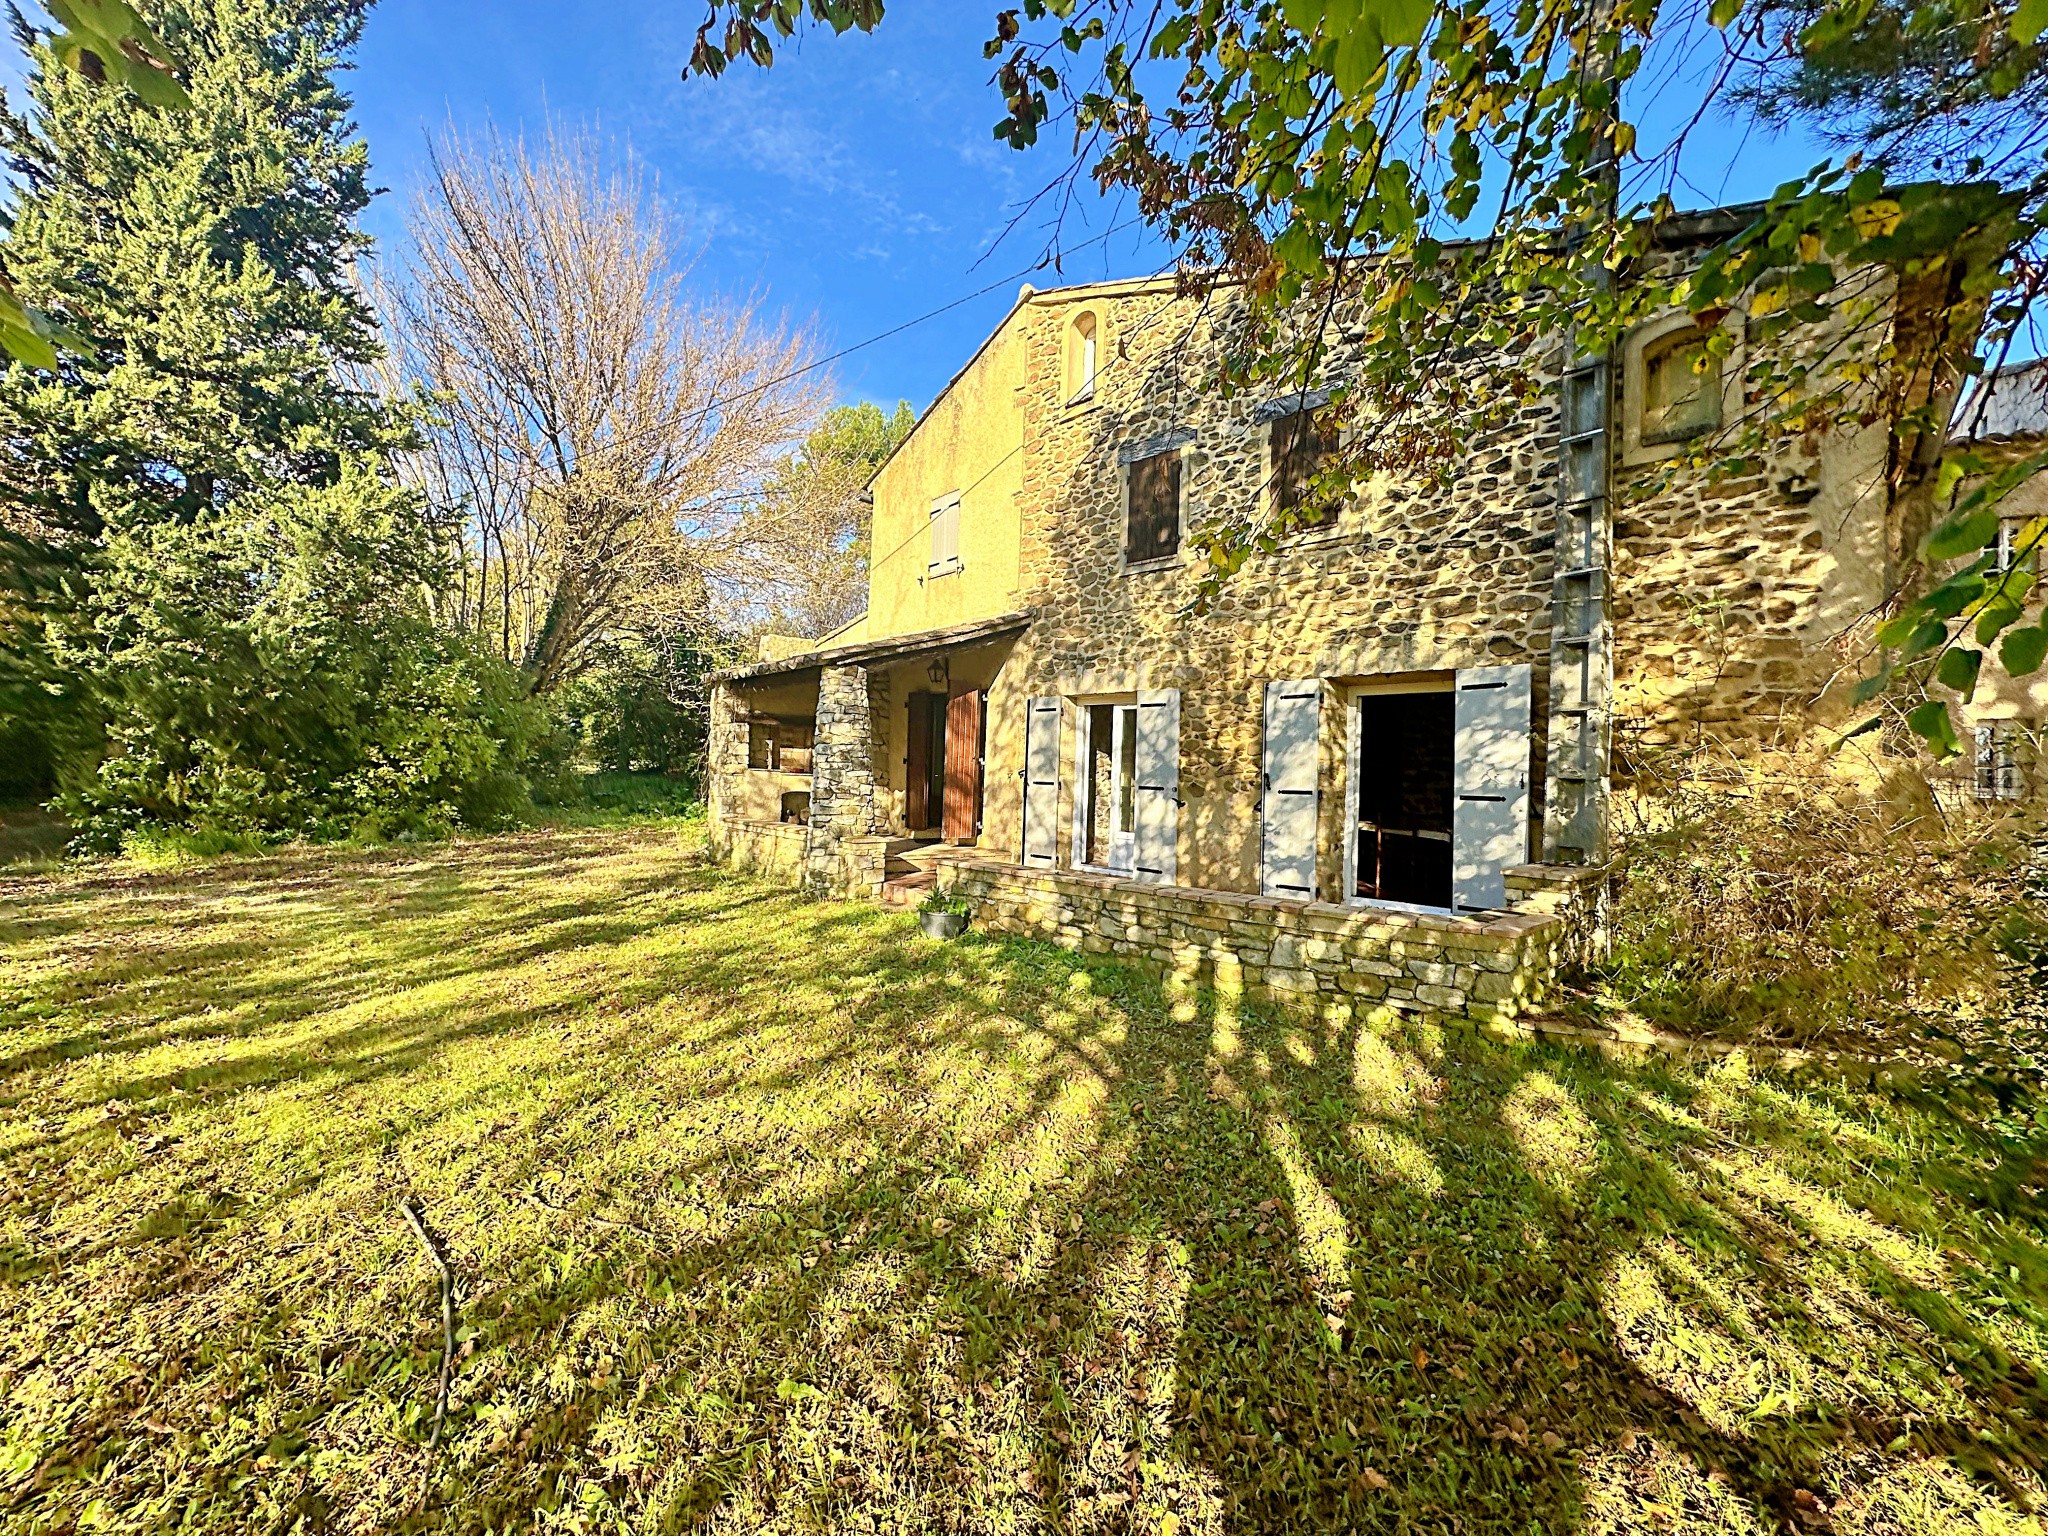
(1375, 769)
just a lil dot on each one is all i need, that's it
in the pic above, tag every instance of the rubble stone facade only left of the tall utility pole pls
(1404, 583)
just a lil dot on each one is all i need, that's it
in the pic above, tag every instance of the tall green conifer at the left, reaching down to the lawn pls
(212, 560)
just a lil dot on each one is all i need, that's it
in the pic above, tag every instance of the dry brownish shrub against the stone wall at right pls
(1785, 898)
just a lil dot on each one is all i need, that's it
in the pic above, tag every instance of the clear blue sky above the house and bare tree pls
(855, 181)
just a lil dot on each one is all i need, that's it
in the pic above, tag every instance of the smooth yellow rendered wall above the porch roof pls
(970, 443)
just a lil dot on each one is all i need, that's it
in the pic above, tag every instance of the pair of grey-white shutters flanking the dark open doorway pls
(1490, 787)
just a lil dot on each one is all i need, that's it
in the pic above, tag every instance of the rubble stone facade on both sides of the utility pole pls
(1730, 597)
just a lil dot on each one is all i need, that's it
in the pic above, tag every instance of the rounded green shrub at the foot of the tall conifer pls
(282, 677)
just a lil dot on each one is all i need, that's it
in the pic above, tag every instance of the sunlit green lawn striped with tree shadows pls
(781, 1218)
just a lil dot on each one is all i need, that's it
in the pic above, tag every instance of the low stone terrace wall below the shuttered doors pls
(1486, 970)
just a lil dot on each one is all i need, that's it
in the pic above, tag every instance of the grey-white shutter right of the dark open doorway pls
(1490, 828)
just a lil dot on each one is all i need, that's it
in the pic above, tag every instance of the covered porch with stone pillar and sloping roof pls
(847, 769)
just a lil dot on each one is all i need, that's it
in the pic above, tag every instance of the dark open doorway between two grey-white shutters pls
(1406, 753)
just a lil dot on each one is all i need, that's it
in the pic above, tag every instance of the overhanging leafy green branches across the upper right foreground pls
(1431, 177)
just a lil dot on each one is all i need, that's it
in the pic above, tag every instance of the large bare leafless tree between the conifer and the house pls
(601, 427)
